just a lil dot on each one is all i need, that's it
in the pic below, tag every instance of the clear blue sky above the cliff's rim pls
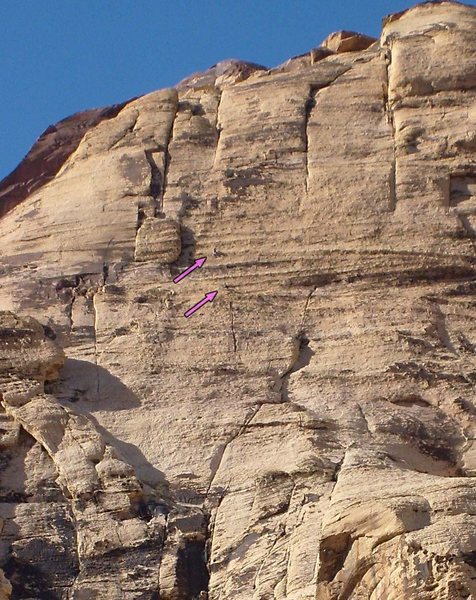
(58, 57)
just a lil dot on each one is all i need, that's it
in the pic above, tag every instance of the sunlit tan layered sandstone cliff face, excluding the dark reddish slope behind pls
(311, 433)
